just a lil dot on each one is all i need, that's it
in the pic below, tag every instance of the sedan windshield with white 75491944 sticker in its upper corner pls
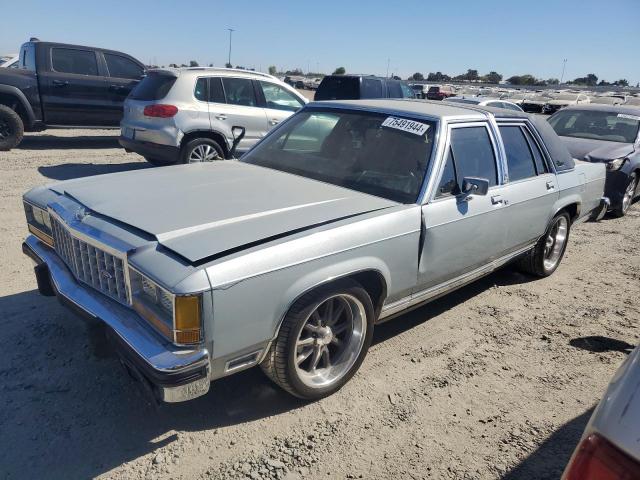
(374, 153)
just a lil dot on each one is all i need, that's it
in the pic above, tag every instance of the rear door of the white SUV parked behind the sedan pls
(240, 109)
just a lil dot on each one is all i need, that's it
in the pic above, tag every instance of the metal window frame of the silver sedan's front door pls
(498, 155)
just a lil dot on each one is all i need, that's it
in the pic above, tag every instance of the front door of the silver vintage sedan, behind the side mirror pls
(462, 233)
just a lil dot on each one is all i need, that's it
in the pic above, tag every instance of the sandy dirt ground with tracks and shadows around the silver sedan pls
(494, 381)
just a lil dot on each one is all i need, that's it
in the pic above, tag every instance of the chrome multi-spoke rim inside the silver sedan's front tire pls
(330, 340)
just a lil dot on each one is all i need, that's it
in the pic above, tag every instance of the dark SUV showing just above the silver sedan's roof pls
(356, 87)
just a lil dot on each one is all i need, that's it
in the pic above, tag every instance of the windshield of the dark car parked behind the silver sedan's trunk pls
(597, 125)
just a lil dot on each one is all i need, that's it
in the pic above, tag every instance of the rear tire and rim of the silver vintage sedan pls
(543, 259)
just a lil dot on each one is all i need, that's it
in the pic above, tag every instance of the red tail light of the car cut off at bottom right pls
(597, 459)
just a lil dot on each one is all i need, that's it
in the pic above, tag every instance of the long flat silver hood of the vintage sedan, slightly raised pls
(201, 211)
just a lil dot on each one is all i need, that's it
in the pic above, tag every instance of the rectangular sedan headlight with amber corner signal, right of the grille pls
(178, 317)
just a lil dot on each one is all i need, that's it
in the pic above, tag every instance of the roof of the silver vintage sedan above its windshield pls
(424, 108)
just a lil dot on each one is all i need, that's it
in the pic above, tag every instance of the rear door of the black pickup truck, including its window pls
(73, 88)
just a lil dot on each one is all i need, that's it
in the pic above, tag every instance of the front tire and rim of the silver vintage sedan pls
(323, 340)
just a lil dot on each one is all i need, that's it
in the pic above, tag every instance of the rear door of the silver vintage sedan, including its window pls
(531, 189)
